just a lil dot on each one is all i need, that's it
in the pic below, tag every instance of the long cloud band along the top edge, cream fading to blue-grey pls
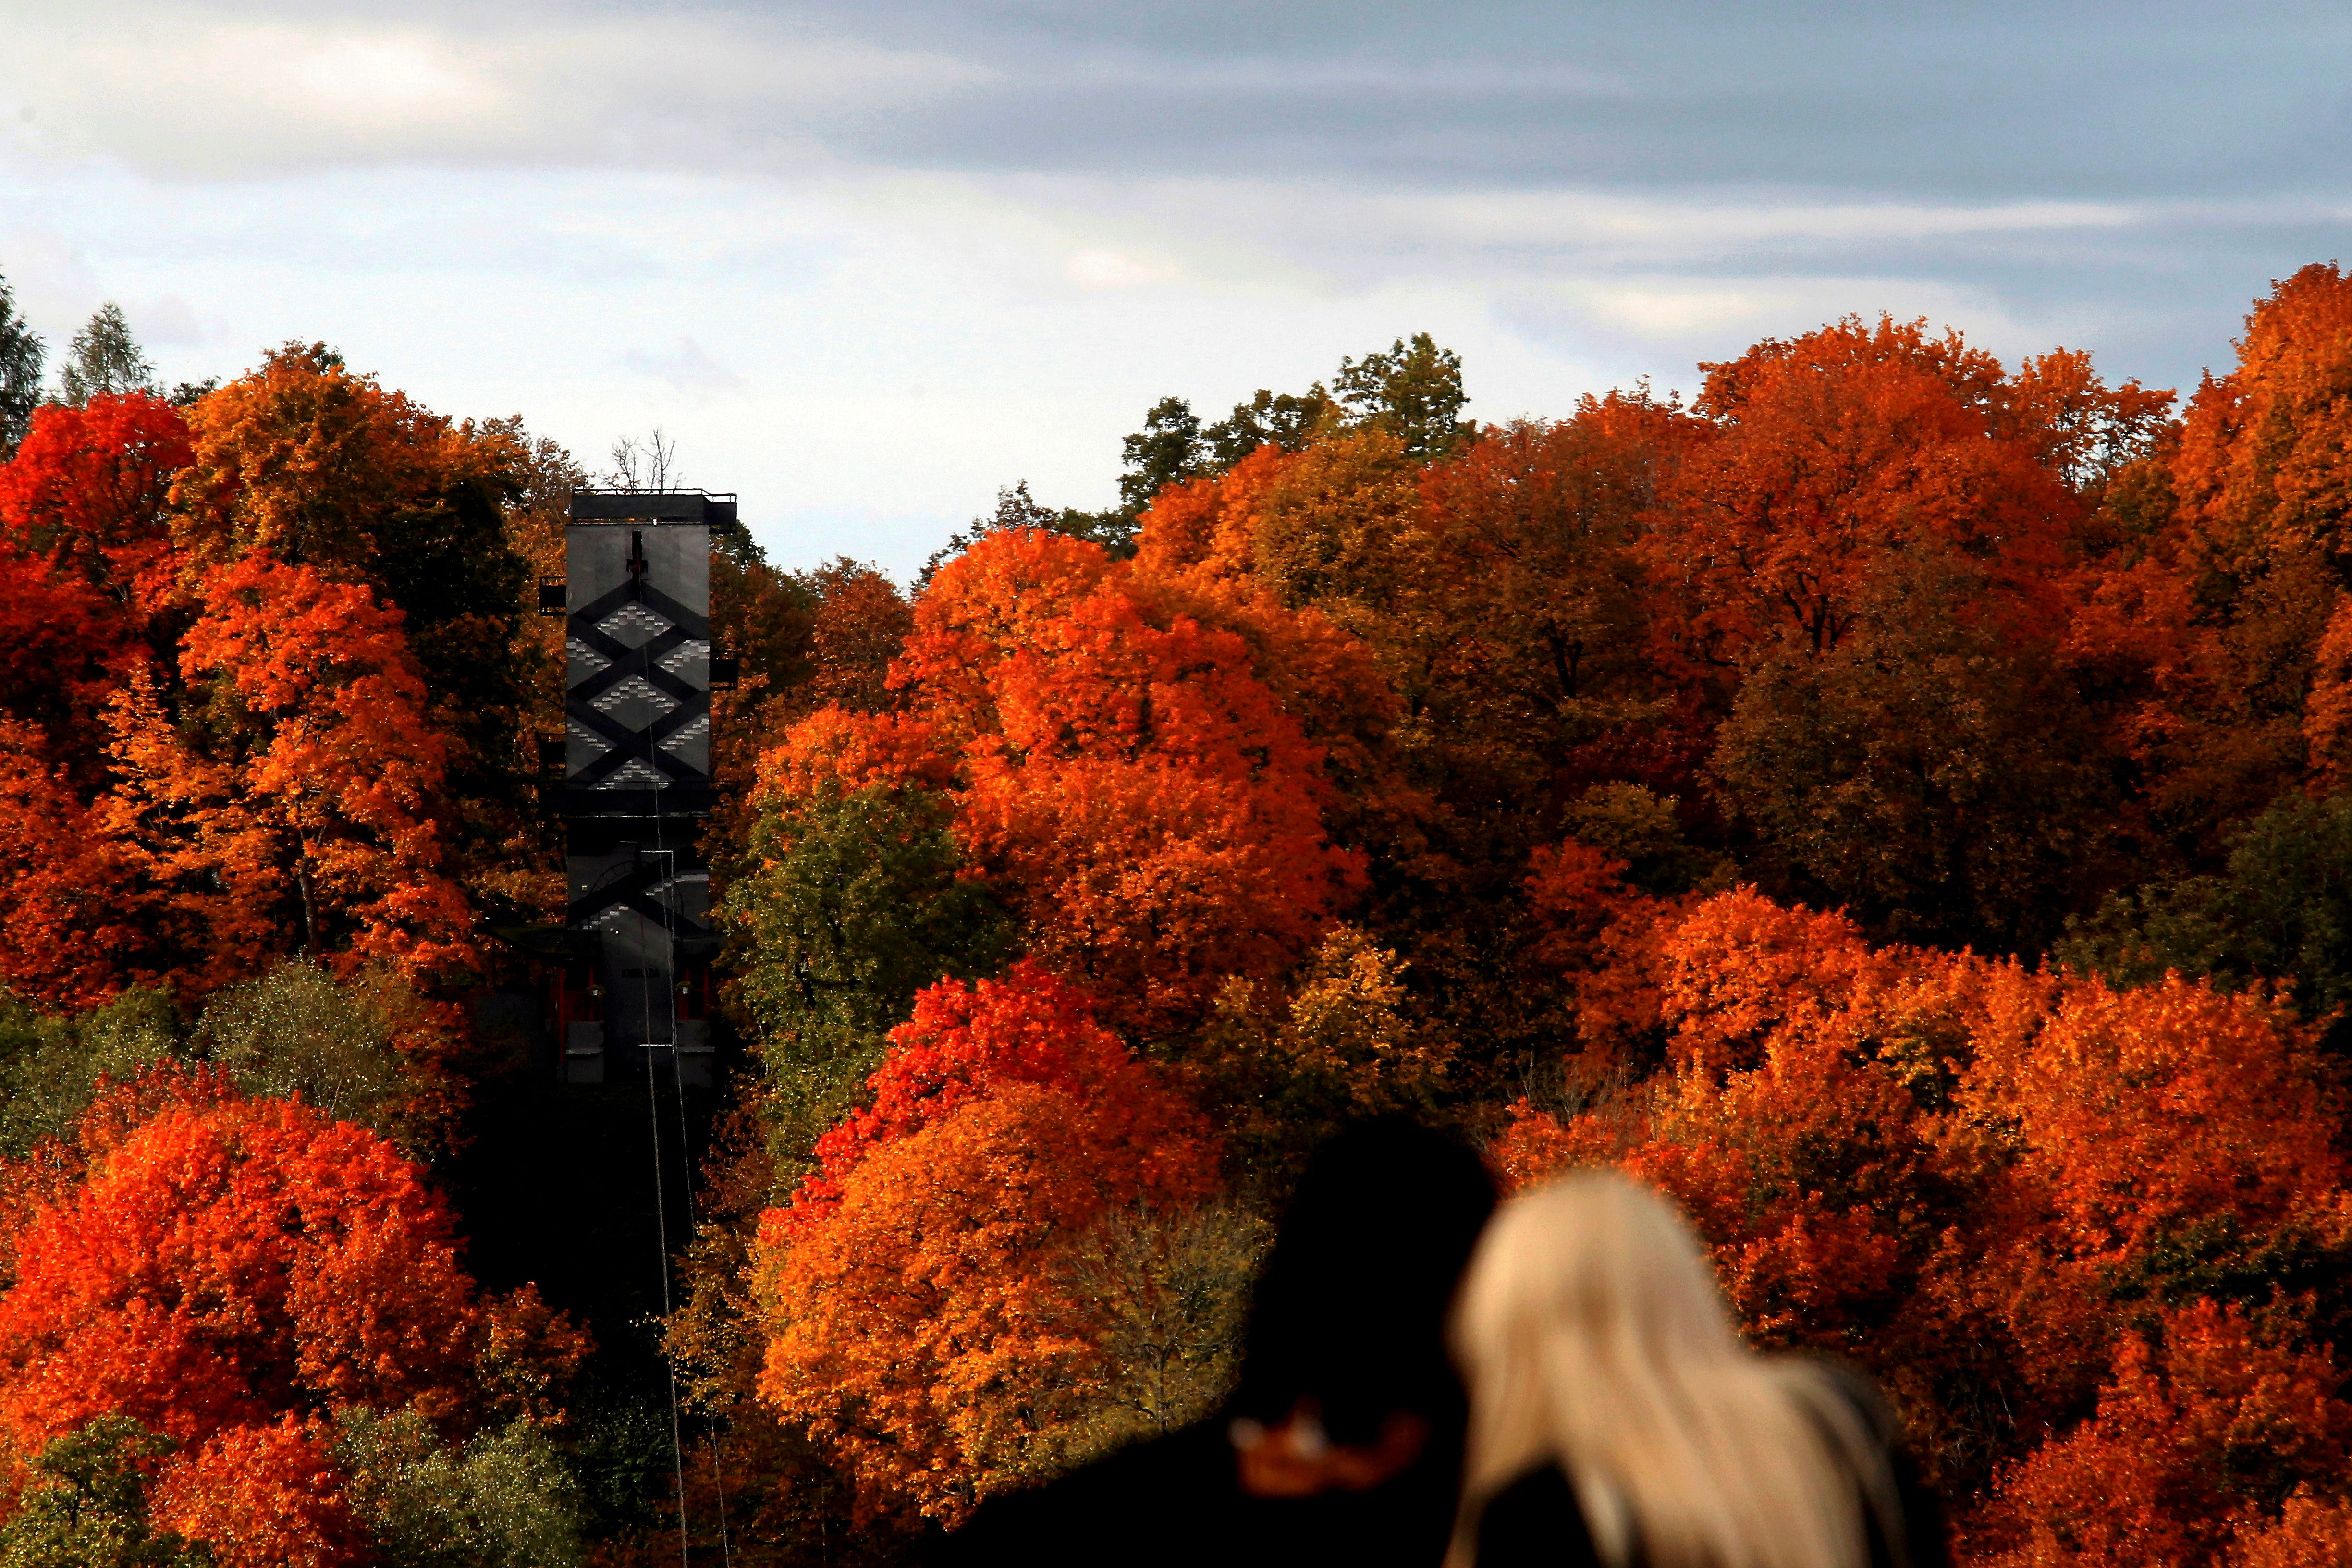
(1977, 105)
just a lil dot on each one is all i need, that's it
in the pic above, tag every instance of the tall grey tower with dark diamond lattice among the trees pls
(636, 782)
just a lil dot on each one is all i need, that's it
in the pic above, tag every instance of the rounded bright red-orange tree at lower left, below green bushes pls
(227, 1264)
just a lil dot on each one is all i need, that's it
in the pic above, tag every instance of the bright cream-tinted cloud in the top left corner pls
(236, 95)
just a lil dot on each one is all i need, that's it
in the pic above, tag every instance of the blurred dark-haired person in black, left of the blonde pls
(1344, 1438)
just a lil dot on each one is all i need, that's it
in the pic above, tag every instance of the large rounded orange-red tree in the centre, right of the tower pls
(1118, 770)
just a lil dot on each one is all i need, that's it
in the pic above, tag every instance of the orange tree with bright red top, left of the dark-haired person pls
(918, 1325)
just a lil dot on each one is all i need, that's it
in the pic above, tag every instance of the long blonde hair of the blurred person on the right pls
(1593, 1334)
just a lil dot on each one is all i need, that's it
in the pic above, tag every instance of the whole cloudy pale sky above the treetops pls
(867, 262)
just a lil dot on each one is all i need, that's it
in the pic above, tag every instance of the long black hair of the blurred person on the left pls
(1351, 1308)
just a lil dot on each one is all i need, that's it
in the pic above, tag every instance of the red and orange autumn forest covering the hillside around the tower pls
(1892, 800)
